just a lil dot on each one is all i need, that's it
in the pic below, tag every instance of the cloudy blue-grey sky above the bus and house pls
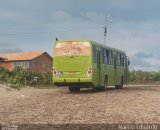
(132, 26)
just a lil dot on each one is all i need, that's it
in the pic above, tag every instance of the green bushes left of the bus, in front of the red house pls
(20, 77)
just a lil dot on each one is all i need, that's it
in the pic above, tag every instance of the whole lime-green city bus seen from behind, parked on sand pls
(85, 63)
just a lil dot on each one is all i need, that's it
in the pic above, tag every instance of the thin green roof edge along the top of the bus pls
(94, 43)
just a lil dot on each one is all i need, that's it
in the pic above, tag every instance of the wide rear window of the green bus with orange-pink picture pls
(73, 49)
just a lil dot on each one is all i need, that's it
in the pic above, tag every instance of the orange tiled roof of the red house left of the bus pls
(21, 56)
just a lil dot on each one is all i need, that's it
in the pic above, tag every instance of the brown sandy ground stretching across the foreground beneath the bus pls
(132, 104)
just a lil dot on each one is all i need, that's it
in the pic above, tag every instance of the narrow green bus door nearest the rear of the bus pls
(98, 67)
